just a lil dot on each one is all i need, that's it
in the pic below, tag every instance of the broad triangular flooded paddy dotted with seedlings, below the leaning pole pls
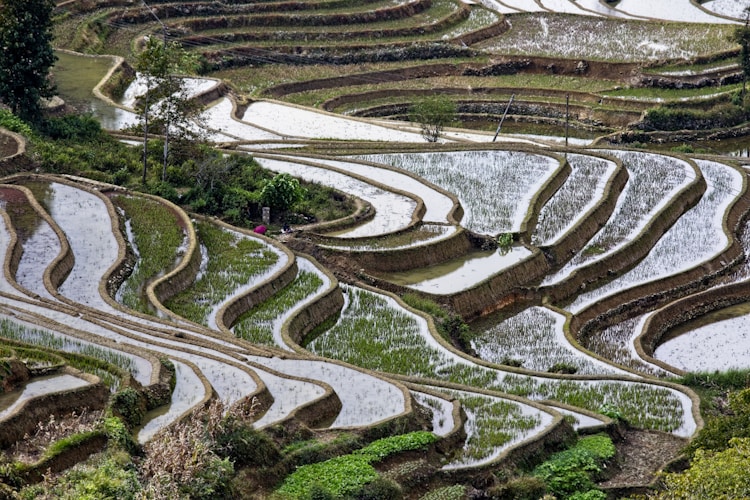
(495, 188)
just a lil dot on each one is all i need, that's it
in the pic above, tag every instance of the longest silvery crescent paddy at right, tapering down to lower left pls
(696, 237)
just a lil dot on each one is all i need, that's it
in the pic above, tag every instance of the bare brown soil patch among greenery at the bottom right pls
(641, 454)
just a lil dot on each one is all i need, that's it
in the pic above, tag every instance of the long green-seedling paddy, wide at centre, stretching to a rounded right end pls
(372, 324)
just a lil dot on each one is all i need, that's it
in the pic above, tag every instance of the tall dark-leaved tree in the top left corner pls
(26, 56)
